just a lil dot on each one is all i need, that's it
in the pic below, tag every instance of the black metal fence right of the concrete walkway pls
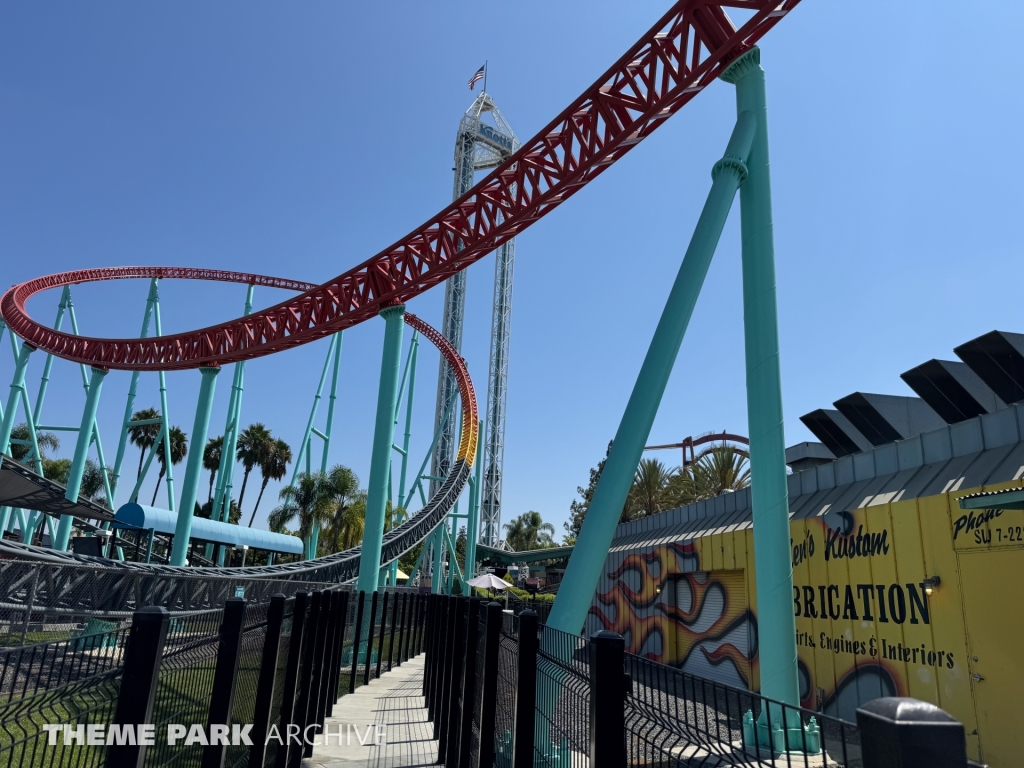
(502, 690)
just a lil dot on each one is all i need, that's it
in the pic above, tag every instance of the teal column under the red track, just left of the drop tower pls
(380, 462)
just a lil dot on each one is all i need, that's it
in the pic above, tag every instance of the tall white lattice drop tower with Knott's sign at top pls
(480, 146)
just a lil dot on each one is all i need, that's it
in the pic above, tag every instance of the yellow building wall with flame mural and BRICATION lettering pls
(899, 589)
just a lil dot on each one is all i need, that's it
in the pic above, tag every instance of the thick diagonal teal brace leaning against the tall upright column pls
(584, 570)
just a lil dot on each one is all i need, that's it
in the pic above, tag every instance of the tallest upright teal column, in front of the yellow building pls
(770, 495)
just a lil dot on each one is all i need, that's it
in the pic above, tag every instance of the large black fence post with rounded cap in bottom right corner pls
(907, 734)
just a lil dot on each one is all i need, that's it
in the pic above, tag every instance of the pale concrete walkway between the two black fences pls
(390, 716)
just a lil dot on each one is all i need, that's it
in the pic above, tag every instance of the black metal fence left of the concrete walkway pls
(277, 666)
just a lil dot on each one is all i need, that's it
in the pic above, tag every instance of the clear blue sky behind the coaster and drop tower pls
(300, 140)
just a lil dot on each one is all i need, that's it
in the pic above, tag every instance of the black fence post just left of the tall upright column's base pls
(608, 701)
